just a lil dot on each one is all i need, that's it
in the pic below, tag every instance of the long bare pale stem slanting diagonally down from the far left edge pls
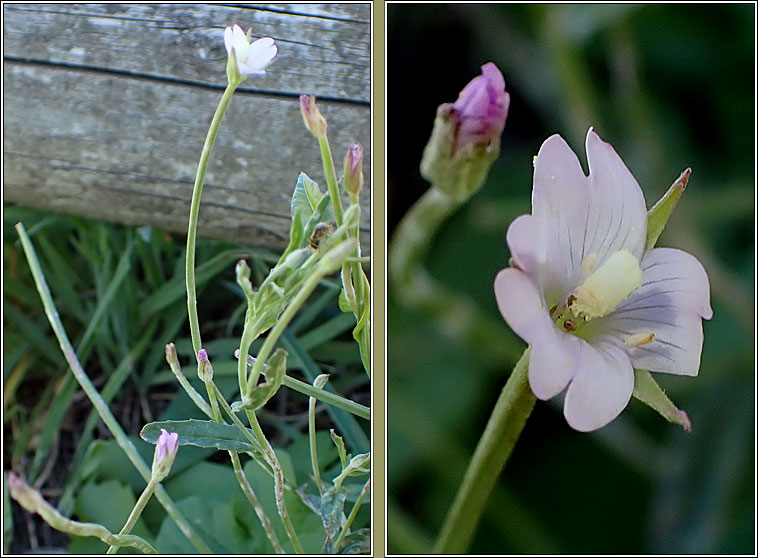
(97, 401)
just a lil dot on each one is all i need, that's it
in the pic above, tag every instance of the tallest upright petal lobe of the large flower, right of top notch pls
(618, 219)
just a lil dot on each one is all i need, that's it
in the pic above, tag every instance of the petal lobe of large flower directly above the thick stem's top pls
(553, 361)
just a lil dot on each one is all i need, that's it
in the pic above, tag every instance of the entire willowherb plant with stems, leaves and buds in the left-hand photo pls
(324, 239)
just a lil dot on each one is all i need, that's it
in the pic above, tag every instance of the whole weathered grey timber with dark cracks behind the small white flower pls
(106, 108)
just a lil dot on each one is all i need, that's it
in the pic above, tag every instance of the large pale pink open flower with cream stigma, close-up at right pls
(585, 295)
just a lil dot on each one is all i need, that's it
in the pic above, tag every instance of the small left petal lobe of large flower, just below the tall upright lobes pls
(535, 249)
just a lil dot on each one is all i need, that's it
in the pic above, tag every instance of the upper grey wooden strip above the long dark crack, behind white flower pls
(326, 57)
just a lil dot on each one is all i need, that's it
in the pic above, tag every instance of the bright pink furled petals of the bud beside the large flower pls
(481, 108)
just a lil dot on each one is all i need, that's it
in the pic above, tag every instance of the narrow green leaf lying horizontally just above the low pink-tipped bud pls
(201, 433)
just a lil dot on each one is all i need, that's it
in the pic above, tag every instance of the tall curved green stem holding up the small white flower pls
(197, 193)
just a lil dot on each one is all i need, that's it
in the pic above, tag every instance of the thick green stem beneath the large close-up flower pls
(500, 435)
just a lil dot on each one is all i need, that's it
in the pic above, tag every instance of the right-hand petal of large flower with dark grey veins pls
(673, 297)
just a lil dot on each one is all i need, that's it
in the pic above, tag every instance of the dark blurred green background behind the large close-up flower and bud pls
(670, 87)
